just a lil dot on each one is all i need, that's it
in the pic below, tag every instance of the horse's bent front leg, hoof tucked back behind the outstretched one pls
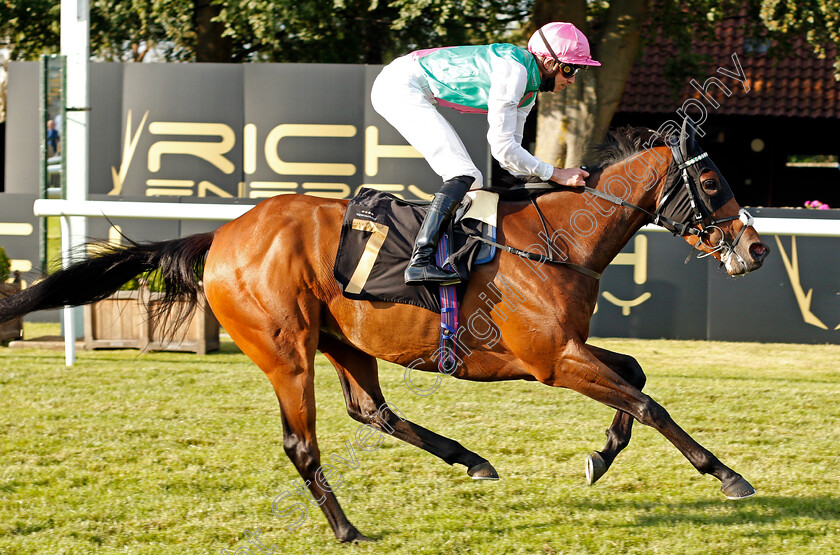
(618, 434)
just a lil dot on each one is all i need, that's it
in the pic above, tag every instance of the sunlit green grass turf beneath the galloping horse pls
(174, 453)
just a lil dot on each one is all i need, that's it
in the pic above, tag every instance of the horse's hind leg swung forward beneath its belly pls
(359, 378)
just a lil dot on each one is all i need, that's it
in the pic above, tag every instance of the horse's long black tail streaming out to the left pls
(104, 268)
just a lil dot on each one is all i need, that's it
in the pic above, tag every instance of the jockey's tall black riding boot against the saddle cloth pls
(421, 268)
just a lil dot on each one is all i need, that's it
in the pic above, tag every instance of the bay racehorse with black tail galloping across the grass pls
(268, 277)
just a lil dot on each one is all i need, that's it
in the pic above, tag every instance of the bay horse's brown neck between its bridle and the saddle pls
(592, 230)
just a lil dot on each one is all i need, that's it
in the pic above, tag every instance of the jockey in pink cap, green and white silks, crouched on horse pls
(500, 80)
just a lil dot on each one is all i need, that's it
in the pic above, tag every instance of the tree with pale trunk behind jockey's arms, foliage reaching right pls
(580, 115)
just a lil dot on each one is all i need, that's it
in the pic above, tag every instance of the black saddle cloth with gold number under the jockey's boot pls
(377, 237)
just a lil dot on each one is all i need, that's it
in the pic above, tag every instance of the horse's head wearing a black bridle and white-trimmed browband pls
(699, 197)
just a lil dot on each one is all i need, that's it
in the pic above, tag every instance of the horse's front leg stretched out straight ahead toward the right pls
(580, 370)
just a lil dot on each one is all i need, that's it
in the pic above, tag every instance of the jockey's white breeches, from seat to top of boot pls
(401, 95)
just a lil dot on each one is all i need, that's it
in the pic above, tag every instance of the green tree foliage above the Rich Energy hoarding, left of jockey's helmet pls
(336, 31)
